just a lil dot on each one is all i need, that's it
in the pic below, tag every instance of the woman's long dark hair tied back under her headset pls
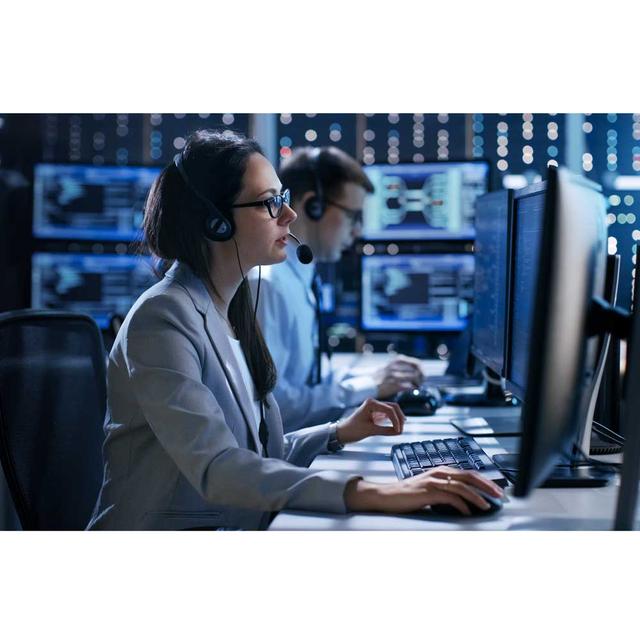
(174, 222)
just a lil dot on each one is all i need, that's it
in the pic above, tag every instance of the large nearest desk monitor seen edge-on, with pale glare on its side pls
(569, 272)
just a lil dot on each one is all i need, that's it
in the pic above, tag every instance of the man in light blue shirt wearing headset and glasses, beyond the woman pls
(328, 189)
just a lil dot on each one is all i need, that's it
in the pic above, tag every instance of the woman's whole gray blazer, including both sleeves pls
(181, 446)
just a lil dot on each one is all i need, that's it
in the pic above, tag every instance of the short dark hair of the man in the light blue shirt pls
(333, 167)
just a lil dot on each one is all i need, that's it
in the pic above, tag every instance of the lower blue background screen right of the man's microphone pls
(416, 292)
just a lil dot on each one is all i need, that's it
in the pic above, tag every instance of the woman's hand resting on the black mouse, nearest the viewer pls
(442, 485)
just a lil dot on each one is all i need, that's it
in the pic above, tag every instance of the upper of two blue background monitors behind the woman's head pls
(88, 202)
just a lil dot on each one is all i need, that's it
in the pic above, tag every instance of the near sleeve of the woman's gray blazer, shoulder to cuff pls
(165, 369)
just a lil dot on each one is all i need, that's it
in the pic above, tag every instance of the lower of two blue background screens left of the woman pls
(98, 285)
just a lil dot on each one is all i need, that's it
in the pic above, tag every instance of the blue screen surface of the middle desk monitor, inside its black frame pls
(529, 215)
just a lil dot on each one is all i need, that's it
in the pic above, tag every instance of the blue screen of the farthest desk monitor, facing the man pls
(491, 279)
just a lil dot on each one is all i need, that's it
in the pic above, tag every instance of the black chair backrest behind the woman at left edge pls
(52, 406)
